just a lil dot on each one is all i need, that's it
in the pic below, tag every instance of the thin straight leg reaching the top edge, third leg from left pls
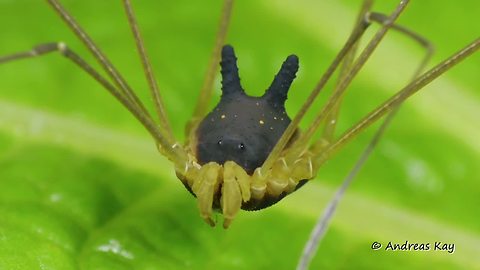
(147, 68)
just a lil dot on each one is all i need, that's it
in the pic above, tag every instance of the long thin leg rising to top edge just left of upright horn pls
(207, 87)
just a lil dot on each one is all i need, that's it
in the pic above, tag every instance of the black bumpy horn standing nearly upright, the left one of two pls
(230, 78)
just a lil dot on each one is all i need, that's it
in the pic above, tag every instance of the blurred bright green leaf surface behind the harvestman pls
(82, 186)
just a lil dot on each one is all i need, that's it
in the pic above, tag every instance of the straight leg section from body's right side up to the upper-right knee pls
(292, 127)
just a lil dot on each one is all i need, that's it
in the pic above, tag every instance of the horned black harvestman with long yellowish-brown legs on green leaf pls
(247, 153)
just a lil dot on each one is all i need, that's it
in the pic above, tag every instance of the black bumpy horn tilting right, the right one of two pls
(277, 92)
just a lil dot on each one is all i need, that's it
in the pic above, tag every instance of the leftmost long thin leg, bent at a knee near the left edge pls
(63, 49)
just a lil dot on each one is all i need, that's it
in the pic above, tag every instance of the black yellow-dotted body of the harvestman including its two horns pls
(242, 128)
